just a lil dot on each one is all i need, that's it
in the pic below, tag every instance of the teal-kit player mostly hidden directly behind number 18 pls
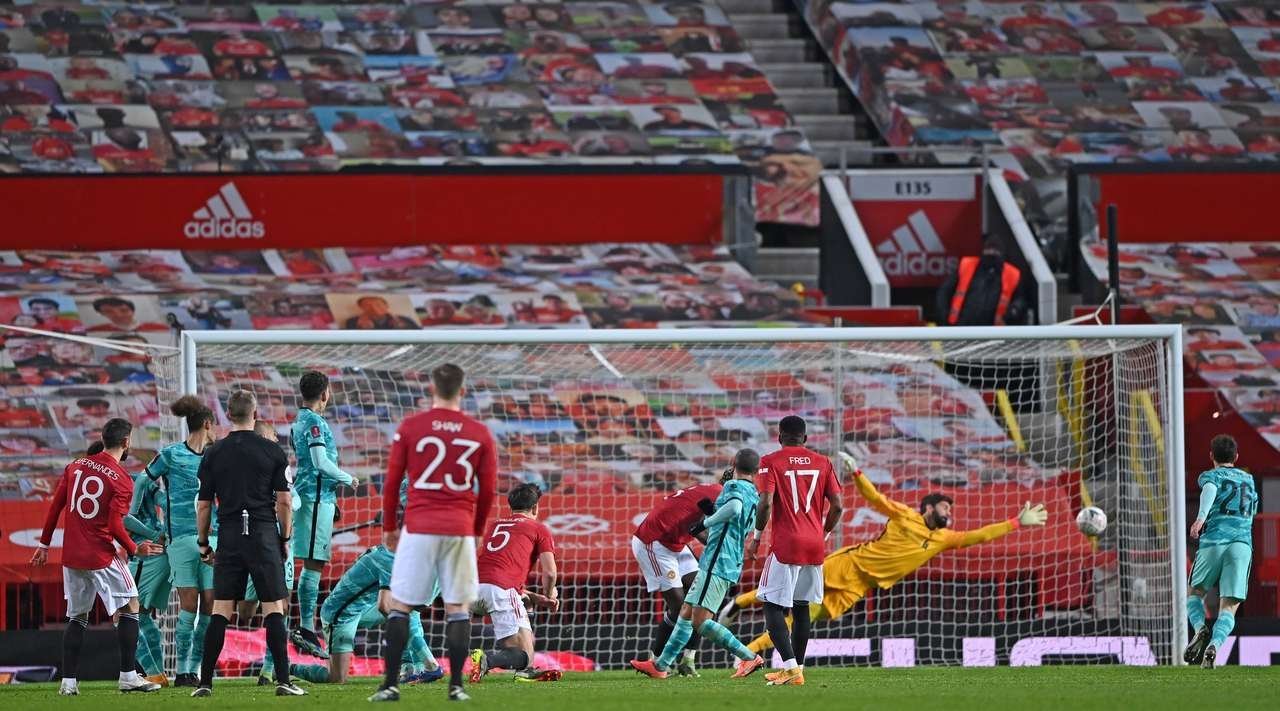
(150, 573)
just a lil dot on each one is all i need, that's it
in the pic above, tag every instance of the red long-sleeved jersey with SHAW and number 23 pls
(447, 454)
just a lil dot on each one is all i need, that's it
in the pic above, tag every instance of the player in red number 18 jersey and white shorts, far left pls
(95, 494)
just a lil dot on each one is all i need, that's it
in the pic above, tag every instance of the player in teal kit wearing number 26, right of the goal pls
(1224, 527)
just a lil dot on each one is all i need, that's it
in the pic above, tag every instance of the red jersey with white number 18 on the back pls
(95, 494)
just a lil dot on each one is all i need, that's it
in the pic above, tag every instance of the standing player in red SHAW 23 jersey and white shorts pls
(455, 466)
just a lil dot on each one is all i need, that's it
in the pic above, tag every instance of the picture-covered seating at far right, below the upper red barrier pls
(1229, 298)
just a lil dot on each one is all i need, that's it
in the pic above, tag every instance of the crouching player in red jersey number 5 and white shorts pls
(515, 544)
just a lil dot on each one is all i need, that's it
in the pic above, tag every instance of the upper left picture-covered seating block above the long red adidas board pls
(203, 88)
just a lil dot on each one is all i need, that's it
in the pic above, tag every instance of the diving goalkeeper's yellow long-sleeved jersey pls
(904, 546)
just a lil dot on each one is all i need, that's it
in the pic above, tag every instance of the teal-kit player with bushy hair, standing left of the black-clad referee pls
(175, 472)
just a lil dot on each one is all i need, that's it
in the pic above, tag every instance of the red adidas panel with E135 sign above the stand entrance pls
(920, 224)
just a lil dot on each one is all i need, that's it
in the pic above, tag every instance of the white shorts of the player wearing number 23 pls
(426, 560)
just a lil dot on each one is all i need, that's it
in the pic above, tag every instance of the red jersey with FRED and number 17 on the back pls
(799, 481)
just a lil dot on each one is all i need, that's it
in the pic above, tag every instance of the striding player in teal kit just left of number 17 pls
(721, 567)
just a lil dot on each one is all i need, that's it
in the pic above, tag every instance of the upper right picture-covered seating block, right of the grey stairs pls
(1064, 83)
